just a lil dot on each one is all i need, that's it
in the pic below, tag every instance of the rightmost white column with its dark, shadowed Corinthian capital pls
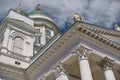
(106, 65)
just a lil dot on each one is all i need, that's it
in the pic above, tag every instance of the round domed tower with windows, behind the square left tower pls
(45, 26)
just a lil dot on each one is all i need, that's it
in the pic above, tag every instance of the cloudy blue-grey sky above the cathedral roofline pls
(99, 12)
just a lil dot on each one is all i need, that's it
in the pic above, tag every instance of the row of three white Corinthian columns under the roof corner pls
(82, 53)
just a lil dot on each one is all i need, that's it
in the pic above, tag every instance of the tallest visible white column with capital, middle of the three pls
(84, 64)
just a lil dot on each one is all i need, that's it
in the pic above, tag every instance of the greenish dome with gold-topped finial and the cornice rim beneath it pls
(40, 18)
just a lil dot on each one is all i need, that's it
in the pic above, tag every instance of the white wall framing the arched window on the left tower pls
(9, 34)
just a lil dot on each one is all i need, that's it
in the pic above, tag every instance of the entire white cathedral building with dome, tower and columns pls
(32, 48)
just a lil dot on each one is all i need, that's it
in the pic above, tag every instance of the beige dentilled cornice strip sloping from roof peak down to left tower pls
(51, 51)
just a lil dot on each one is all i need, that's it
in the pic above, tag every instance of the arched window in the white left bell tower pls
(18, 45)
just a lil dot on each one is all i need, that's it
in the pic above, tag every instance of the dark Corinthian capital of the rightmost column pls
(106, 63)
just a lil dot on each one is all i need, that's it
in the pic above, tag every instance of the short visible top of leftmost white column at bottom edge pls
(60, 73)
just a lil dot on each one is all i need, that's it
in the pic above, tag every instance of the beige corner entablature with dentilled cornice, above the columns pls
(65, 44)
